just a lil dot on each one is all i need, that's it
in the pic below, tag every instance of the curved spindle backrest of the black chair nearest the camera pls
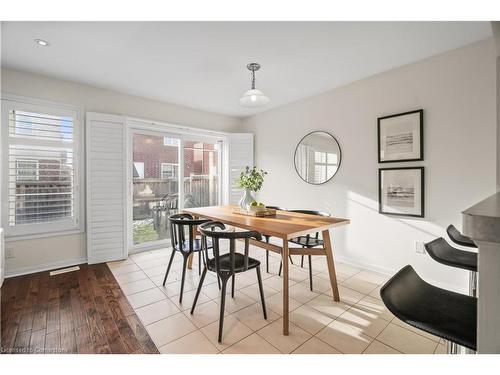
(217, 231)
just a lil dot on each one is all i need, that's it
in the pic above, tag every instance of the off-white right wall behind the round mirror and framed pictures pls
(456, 91)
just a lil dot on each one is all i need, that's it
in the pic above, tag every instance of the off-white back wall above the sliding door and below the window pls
(58, 251)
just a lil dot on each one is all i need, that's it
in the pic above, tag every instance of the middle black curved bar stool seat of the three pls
(442, 252)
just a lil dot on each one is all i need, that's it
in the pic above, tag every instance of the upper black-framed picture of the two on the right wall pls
(401, 137)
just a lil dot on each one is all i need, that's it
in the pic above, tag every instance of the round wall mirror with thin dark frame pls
(317, 157)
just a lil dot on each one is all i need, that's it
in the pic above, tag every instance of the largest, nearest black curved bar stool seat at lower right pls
(449, 315)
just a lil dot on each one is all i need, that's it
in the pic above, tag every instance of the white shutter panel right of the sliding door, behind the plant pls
(240, 156)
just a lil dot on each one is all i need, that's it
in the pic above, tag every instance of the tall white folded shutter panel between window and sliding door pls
(106, 188)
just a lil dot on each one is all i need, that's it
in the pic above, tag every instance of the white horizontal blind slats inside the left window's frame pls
(41, 178)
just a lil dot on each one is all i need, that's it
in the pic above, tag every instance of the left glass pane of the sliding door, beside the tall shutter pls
(155, 186)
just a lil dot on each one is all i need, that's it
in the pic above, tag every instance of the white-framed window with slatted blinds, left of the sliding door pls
(40, 167)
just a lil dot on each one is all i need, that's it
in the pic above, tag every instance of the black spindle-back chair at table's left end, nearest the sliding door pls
(178, 224)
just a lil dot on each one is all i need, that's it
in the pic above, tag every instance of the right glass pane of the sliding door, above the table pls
(201, 174)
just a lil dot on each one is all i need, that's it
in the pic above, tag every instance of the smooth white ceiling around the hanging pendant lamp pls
(203, 64)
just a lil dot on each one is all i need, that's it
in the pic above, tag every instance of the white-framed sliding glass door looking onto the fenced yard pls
(169, 172)
